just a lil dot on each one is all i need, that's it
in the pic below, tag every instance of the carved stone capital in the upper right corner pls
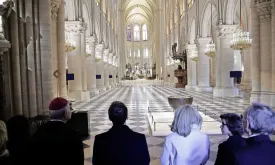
(264, 9)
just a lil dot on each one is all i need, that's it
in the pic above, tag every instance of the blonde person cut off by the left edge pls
(4, 154)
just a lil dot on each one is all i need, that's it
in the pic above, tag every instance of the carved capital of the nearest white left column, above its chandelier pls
(75, 27)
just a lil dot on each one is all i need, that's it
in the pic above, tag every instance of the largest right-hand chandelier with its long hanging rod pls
(241, 40)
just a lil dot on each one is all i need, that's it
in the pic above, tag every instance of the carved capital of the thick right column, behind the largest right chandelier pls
(227, 30)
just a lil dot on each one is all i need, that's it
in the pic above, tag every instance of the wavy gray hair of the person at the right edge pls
(261, 118)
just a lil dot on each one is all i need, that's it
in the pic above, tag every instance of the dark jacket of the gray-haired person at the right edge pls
(260, 150)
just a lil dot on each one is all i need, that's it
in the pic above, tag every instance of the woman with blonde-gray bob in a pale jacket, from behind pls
(186, 145)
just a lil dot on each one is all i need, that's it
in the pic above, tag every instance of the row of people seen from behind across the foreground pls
(56, 143)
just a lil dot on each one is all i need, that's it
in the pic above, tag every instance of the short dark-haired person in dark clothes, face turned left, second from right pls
(231, 126)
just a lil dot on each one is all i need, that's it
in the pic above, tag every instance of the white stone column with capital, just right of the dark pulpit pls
(203, 66)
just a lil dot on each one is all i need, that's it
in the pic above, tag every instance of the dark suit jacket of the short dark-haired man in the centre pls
(120, 146)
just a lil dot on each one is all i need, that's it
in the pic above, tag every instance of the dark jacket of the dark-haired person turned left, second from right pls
(227, 148)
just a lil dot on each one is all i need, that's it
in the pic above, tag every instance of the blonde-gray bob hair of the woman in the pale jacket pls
(184, 119)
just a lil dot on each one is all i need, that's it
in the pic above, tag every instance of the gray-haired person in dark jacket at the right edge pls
(259, 123)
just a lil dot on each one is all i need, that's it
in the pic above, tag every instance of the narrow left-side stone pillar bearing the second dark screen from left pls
(100, 68)
